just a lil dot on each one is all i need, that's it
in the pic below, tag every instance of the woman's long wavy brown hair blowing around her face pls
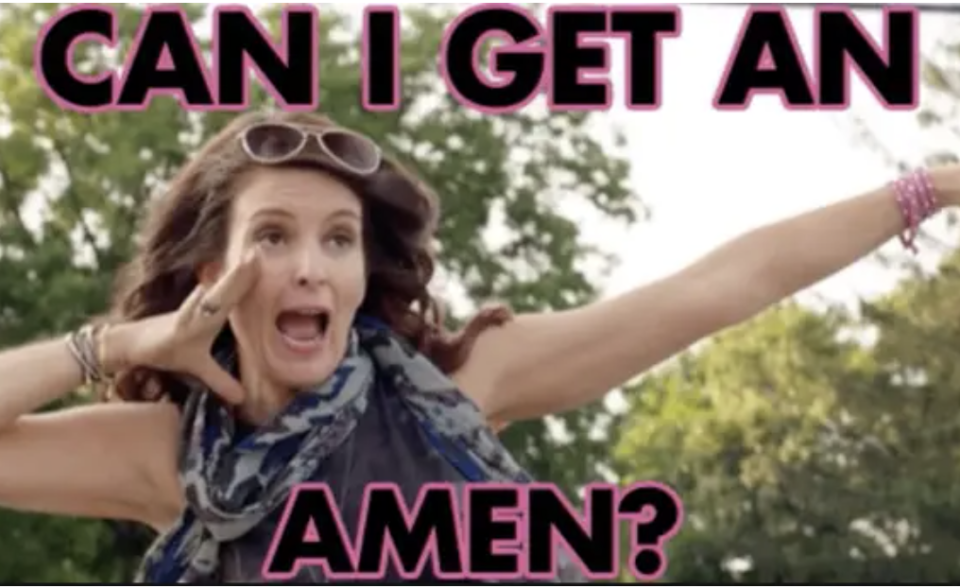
(188, 226)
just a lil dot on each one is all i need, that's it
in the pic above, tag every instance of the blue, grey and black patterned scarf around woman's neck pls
(231, 486)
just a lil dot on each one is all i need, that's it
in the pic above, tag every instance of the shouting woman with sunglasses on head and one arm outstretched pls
(275, 328)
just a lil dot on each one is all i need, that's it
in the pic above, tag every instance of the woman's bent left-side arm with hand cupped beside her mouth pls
(116, 460)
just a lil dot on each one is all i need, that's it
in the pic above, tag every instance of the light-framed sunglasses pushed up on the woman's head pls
(274, 143)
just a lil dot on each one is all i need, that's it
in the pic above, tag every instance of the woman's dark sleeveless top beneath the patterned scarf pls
(389, 446)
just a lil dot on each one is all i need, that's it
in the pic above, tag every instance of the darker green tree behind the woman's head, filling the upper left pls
(72, 187)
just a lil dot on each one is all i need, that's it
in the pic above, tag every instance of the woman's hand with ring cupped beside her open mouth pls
(181, 341)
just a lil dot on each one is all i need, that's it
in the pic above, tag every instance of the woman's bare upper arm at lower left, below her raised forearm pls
(114, 461)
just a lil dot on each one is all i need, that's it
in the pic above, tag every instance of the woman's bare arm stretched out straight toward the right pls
(548, 363)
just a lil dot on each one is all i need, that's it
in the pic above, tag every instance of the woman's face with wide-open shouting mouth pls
(294, 326)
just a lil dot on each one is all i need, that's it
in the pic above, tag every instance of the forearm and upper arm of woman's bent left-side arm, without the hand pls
(93, 461)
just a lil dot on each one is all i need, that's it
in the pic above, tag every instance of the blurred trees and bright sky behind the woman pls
(819, 443)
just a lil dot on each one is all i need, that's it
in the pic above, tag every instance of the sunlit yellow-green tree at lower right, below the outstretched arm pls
(805, 455)
